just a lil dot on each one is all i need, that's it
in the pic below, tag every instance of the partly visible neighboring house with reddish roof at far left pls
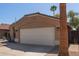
(4, 31)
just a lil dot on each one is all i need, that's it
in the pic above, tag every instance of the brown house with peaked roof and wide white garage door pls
(37, 29)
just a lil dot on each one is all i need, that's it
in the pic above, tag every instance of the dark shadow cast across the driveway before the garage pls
(31, 48)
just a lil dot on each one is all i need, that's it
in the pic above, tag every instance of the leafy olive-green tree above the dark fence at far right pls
(74, 21)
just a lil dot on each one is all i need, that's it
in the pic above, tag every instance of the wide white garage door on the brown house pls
(38, 36)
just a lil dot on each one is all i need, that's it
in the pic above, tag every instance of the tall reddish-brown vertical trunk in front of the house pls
(63, 47)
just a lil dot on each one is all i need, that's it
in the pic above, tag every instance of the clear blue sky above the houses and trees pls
(11, 12)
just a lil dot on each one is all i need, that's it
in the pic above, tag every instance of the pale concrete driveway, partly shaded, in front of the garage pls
(15, 49)
